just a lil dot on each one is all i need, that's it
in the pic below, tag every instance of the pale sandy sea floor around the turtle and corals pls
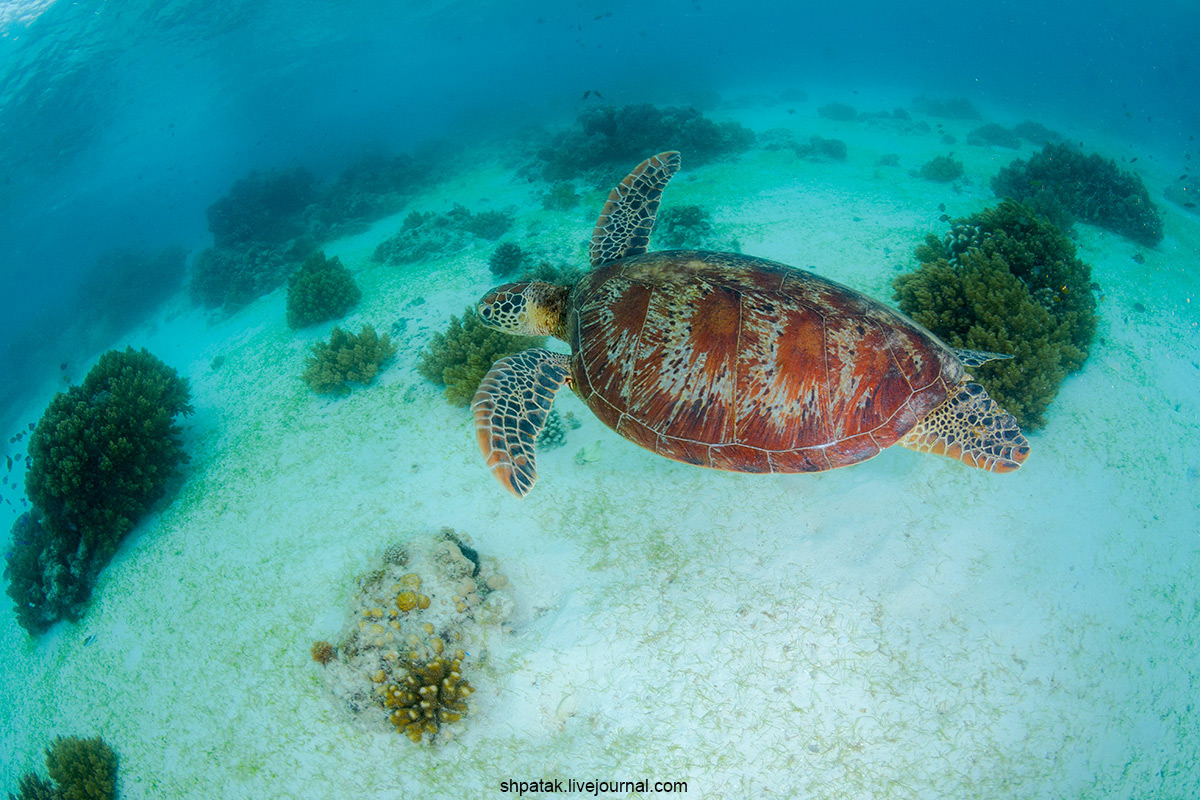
(907, 628)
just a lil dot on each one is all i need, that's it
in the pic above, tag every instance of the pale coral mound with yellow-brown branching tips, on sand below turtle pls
(403, 659)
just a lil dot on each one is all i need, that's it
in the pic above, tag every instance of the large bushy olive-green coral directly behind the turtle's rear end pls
(1007, 281)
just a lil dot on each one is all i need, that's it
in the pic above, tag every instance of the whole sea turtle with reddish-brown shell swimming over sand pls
(728, 362)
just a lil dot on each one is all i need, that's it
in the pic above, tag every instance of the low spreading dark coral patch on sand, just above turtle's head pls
(425, 236)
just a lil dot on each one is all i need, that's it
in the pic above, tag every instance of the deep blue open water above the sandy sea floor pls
(122, 123)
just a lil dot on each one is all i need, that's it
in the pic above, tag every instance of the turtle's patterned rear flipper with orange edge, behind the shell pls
(971, 428)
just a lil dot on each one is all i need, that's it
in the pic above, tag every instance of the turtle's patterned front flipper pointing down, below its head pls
(511, 410)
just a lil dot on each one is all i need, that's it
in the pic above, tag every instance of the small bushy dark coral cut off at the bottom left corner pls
(81, 769)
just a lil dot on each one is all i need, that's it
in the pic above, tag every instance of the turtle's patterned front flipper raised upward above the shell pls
(628, 219)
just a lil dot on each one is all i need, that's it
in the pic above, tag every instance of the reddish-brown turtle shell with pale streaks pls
(748, 365)
